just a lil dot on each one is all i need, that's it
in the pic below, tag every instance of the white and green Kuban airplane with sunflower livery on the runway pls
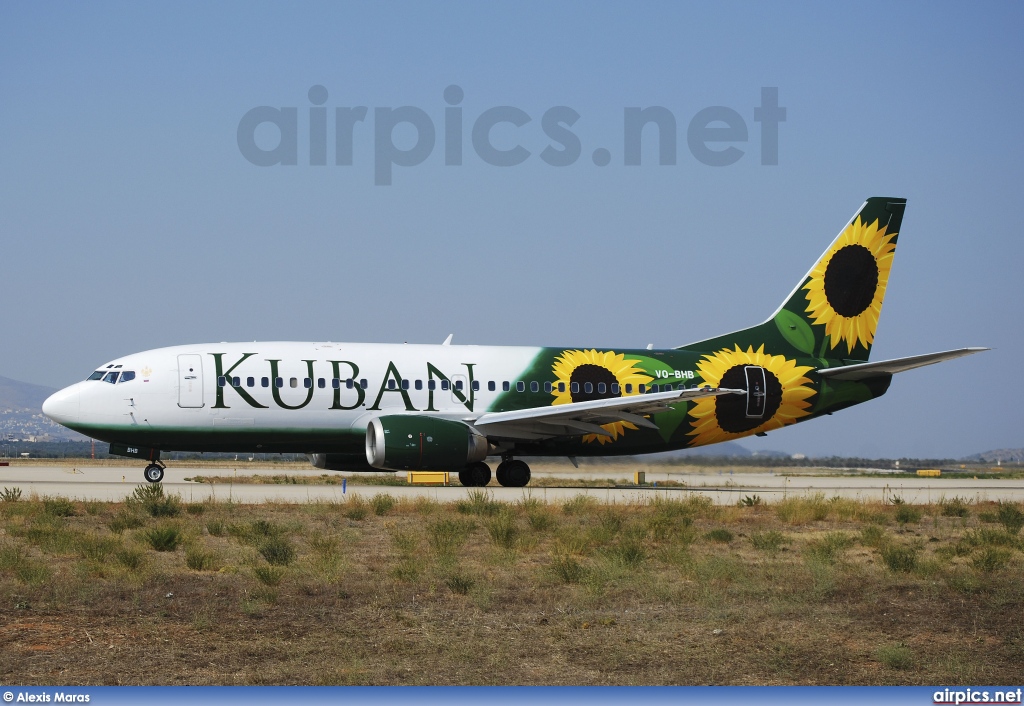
(369, 407)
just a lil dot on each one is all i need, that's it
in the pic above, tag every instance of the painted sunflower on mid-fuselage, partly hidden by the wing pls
(584, 376)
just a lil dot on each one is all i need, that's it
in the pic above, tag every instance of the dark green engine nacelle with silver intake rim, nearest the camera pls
(413, 442)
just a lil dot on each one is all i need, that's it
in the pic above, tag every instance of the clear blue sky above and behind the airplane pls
(131, 220)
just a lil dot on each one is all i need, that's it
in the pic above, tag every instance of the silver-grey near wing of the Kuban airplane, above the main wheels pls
(586, 418)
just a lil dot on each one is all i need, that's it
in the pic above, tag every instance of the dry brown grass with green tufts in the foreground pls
(675, 592)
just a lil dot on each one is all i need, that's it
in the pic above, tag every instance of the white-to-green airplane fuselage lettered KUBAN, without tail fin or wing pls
(320, 398)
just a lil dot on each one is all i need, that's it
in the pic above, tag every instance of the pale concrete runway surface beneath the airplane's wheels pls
(116, 483)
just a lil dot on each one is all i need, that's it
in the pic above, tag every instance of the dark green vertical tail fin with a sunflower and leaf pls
(834, 311)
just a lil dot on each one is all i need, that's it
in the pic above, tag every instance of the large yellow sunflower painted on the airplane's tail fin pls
(847, 286)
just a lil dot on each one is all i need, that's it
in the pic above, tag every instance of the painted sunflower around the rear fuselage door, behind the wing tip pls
(724, 419)
